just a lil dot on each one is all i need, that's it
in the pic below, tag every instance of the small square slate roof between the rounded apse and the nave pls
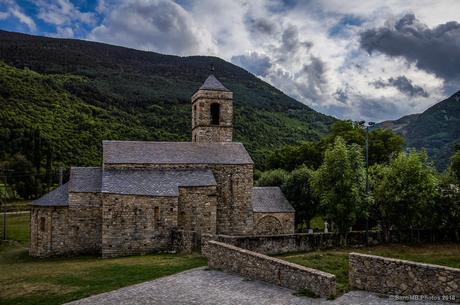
(85, 179)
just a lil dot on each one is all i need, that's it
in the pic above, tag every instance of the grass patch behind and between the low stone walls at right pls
(335, 261)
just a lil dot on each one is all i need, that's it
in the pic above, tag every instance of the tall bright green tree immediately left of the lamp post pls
(339, 184)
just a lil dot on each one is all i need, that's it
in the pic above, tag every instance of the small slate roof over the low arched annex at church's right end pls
(270, 200)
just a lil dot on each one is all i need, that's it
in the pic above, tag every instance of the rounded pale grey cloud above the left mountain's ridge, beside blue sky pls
(158, 25)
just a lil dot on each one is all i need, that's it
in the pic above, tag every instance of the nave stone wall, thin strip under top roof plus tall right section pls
(234, 191)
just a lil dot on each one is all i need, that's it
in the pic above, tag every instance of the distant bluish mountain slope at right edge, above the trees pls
(437, 129)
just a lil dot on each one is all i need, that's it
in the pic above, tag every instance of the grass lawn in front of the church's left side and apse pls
(26, 280)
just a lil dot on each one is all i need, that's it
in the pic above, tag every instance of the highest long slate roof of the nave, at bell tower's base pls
(143, 152)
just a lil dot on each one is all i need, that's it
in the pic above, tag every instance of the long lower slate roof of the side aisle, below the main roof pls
(153, 182)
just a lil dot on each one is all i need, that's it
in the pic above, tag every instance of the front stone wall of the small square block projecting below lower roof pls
(197, 209)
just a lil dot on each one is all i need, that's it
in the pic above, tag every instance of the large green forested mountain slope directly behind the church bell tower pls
(67, 95)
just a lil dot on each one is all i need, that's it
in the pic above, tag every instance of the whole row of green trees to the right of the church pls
(405, 191)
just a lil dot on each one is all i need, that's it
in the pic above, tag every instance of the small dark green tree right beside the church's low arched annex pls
(298, 191)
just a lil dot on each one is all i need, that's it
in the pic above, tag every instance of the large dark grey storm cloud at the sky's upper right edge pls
(435, 50)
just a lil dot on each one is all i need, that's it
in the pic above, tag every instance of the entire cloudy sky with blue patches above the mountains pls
(354, 59)
